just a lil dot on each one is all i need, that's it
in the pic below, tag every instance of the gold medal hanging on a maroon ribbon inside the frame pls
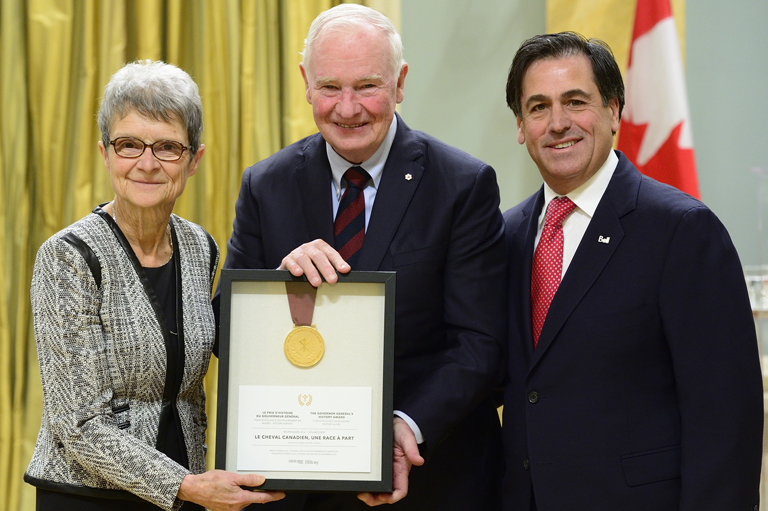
(304, 346)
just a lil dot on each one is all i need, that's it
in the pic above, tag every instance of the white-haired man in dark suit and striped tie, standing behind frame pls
(424, 210)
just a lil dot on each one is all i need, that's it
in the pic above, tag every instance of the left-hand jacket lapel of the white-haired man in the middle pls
(313, 178)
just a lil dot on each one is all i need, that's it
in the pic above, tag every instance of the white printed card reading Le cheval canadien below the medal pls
(304, 429)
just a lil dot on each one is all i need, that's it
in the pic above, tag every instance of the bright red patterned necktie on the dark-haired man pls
(548, 262)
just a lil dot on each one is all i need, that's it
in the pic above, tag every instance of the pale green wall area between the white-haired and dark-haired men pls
(459, 53)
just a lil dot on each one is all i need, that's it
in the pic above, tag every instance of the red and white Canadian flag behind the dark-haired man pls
(655, 132)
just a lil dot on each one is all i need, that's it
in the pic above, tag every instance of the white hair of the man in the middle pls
(346, 17)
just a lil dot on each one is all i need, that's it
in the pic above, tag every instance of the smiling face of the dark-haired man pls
(563, 122)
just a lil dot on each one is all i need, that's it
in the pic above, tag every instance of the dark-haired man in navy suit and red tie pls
(633, 374)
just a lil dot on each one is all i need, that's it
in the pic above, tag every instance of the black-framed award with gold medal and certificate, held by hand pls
(305, 380)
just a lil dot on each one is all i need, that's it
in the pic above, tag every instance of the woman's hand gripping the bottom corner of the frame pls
(219, 490)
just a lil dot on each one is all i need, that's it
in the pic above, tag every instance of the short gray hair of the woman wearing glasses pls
(156, 90)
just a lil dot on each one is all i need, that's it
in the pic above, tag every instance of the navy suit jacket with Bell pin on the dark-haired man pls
(645, 390)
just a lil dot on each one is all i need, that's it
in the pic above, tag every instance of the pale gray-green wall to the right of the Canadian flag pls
(727, 78)
